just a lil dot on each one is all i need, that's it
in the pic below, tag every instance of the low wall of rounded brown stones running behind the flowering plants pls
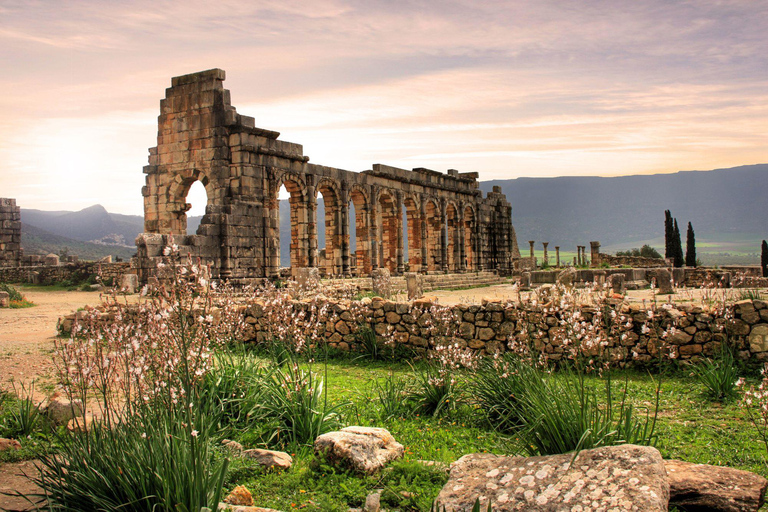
(636, 337)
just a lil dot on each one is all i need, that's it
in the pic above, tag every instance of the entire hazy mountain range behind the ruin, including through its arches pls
(728, 209)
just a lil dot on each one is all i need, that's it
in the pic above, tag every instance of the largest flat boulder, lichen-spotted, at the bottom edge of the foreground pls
(624, 478)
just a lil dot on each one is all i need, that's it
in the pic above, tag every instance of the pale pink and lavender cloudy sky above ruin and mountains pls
(505, 88)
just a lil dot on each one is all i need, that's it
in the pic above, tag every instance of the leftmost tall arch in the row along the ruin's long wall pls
(299, 219)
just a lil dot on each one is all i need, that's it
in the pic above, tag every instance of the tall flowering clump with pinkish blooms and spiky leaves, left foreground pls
(151, 446)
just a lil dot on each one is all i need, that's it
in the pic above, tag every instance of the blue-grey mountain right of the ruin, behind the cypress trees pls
(725, 206)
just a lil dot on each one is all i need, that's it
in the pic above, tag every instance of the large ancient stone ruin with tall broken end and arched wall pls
(450, 226)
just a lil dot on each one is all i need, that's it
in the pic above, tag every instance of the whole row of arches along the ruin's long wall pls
(442, 235)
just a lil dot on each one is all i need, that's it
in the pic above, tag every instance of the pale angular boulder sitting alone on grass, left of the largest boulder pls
(362, 449)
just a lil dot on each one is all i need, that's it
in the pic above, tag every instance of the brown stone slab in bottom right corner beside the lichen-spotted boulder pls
(714, 488)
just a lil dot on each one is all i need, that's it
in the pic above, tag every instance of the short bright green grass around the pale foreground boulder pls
(689, 427)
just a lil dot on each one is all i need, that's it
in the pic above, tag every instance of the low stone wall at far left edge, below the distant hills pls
(109, 272)
